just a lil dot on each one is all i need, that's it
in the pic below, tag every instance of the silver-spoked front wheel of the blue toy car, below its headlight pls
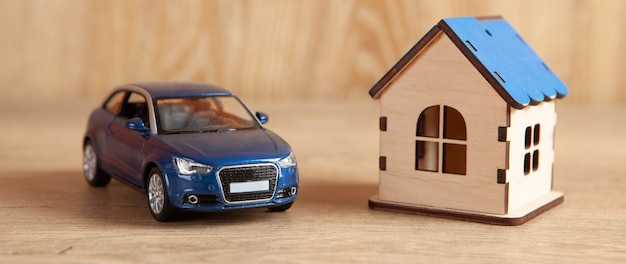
(158, 200)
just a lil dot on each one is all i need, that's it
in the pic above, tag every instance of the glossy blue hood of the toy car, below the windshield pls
(228, 147)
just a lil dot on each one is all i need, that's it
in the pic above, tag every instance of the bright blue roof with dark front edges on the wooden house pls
(515, 71)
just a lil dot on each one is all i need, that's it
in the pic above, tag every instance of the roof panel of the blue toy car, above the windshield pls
(172, 89)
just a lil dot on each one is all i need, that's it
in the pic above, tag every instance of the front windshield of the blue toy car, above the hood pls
(202, 114)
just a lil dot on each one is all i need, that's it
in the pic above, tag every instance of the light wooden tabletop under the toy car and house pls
(49, 214)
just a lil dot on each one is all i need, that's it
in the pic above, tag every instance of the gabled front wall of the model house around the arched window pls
(441, 75)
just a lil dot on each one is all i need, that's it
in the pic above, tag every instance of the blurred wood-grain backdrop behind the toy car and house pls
(281, 49)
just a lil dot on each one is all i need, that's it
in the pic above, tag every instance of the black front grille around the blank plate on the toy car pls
(245, 174)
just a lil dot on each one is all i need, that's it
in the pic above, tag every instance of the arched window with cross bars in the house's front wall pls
(443, 133)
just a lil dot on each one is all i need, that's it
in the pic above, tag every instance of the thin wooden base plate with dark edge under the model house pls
(514, 218)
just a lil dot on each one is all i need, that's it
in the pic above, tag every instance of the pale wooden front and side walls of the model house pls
(438, 74)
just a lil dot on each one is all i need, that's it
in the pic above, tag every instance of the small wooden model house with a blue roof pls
(467, 122)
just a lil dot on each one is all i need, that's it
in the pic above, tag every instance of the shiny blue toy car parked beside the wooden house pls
(188, 146)
